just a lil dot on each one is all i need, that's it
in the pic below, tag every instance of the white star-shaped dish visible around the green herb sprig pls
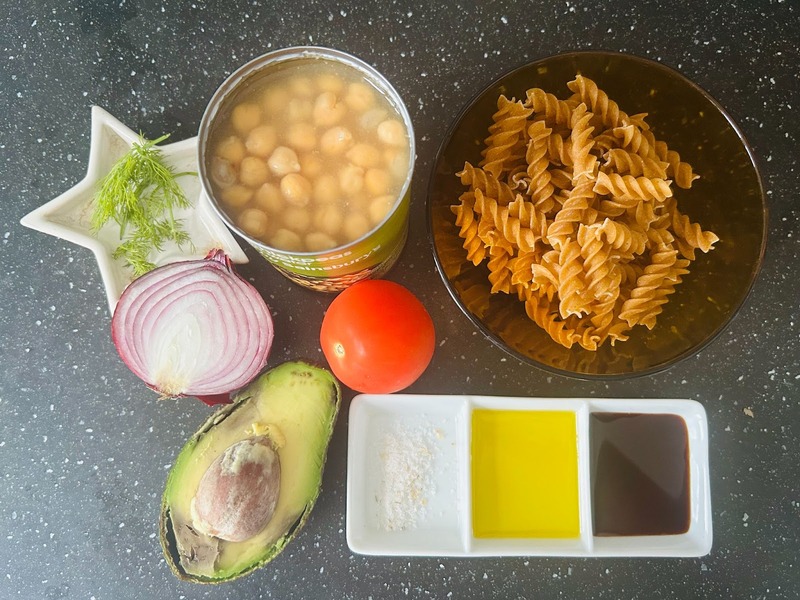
(68, 216)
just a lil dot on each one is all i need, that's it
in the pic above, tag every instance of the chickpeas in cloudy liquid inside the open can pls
(309, 158)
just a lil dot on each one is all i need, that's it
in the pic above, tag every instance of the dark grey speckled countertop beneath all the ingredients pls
(85, 448)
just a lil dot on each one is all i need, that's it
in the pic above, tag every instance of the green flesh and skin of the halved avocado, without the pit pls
(295, 406)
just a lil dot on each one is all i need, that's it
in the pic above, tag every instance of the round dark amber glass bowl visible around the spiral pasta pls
(728, 199)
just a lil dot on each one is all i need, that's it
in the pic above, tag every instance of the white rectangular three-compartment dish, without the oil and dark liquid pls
(408, 479)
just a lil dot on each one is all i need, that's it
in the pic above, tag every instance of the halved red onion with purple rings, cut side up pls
(193, 328)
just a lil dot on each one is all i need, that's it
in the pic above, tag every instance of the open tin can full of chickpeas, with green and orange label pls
(308, 154)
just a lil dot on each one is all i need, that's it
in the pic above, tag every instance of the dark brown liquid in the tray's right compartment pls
(640, 474)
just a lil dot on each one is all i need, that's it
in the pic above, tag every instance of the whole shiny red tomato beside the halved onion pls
(377, 336)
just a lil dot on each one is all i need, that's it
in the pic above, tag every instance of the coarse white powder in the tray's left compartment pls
(407, 459)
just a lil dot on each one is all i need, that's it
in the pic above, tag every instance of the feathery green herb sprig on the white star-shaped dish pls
(140, 194)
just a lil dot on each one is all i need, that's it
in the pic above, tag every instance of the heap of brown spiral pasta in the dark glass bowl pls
(573, 211)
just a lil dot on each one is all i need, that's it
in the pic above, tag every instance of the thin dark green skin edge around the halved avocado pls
(295, 369)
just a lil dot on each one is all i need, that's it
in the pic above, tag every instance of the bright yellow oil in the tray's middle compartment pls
(524, 474)
